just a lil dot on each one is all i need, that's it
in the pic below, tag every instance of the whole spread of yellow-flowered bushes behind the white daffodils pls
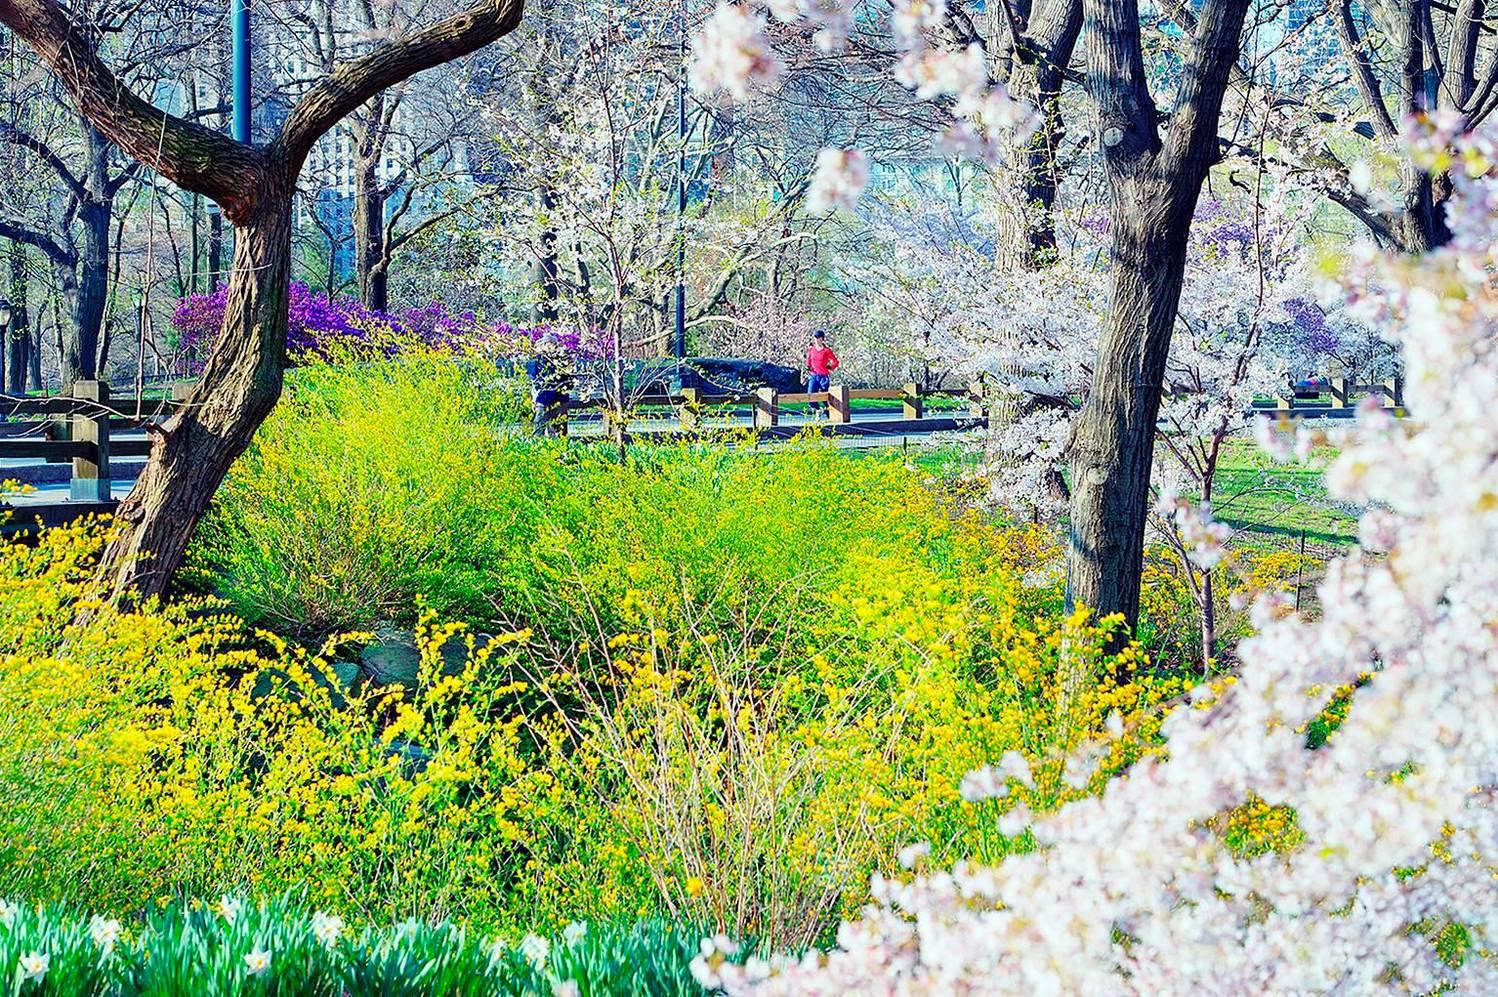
(706, 769)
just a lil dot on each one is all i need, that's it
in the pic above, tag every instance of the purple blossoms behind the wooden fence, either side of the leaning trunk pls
(317, 323)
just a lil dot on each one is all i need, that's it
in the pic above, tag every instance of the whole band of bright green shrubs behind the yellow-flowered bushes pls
(380, 487)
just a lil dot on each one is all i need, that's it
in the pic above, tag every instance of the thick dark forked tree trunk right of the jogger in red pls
(1154, 183)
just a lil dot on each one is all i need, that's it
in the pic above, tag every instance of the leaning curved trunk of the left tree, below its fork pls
(239, 388)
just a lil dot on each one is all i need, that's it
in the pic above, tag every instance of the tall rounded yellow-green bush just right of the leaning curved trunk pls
(362, 493)
